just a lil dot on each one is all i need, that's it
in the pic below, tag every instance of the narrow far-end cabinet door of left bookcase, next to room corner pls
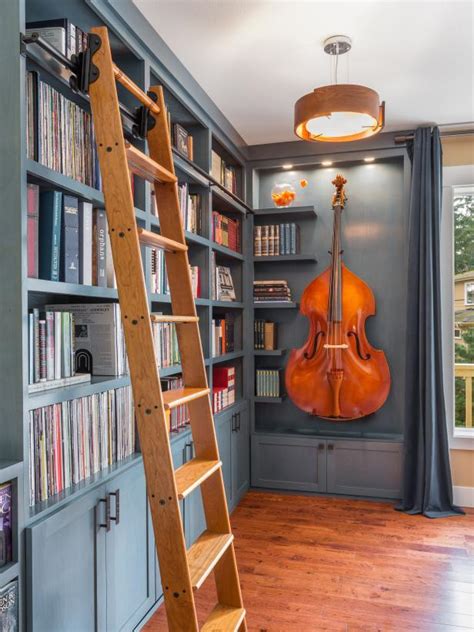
(240, 455)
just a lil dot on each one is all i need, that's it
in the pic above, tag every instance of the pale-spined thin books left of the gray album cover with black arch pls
(51, 358)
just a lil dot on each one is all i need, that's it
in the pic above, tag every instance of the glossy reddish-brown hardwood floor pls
(309, 564)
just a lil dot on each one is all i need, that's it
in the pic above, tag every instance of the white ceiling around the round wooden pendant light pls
(255, 58)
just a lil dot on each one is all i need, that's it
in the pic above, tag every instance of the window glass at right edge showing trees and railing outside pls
(463, 311)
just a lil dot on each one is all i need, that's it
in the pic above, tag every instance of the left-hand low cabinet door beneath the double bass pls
(292, 463)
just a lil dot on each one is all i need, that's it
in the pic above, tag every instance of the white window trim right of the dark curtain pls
(454, 182)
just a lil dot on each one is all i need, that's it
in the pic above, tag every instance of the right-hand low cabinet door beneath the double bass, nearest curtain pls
(364, 468)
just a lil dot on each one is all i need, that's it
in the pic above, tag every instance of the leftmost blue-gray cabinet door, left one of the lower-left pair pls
(65, 564)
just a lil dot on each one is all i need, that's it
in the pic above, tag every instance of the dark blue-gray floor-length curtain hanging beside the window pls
(427, 487)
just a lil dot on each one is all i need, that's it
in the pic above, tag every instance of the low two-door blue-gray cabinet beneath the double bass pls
(353, 467)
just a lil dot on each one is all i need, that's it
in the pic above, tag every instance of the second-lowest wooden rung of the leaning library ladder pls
(205, 553)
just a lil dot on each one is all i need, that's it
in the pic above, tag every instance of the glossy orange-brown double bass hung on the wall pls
(337, 374)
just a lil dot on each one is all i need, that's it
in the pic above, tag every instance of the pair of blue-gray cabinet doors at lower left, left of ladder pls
(81, 576)
